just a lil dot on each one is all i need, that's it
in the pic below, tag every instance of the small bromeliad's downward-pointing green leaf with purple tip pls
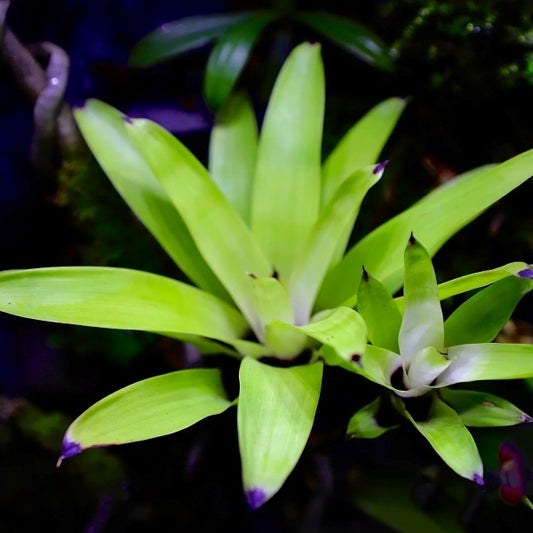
(448, 436)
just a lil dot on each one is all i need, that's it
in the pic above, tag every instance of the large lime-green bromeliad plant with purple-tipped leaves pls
(262, 236)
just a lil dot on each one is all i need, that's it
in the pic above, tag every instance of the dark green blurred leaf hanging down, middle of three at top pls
(229, 57)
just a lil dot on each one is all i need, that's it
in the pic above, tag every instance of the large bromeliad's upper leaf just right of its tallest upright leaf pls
(360, 146)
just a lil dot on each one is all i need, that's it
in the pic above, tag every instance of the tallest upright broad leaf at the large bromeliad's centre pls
(286, 196)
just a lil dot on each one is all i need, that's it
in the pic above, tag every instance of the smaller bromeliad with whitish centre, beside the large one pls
(415, 354)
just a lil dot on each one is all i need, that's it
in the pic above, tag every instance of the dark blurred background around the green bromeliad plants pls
(467, 69)
